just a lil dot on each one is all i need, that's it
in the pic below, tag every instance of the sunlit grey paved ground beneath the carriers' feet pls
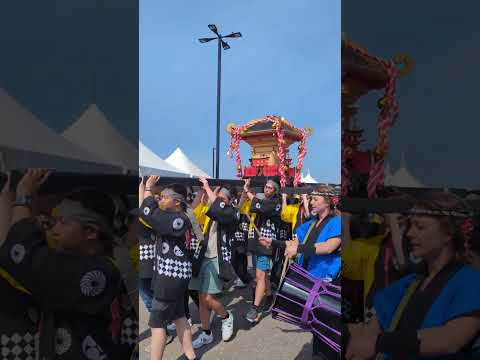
(269, 339)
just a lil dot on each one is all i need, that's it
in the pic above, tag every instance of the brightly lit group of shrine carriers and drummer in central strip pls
(191, 245)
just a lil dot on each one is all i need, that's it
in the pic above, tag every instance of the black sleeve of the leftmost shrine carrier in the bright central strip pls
(162, 222)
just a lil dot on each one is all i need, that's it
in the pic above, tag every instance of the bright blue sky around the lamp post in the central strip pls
(287, 63)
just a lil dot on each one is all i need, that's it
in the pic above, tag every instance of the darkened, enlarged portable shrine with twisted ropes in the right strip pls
(362, 73)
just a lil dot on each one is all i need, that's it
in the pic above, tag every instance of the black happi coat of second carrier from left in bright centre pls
(228, 219)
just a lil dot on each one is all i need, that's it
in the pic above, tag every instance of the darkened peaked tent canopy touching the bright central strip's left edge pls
(94, 132)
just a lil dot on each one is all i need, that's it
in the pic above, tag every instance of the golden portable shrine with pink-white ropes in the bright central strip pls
(270, 138)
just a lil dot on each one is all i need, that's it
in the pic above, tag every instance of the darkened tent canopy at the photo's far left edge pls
(27, 142)
